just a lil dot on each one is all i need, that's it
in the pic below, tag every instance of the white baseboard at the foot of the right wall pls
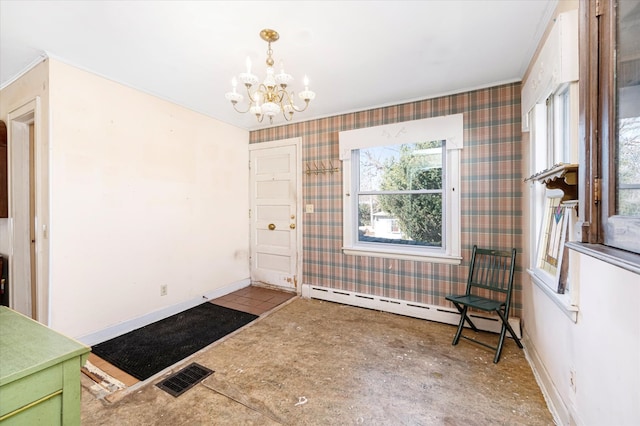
(559, 410)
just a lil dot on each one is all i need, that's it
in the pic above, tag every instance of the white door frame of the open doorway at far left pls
(18, 122)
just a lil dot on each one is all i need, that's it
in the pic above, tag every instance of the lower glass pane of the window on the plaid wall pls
(400, 219)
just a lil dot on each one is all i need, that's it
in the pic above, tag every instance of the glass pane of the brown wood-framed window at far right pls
(628, 113)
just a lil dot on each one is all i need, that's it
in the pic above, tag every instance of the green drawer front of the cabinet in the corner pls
(17, 394)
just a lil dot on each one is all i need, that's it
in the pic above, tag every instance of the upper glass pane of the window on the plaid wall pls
(407, 167)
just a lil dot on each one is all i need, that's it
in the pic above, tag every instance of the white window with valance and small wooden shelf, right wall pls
(550, 104)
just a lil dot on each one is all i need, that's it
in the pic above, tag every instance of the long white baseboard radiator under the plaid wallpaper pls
(402, 307)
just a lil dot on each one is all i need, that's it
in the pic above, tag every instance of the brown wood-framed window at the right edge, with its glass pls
(610, 80)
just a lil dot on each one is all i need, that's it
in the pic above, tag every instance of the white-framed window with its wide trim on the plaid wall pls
(401, 190)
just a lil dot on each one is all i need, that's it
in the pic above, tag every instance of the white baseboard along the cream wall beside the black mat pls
(134, 324)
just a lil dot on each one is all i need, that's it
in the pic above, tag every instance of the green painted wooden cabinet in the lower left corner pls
(39, 373)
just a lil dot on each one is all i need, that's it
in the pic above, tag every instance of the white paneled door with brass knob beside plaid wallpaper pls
(274, 214)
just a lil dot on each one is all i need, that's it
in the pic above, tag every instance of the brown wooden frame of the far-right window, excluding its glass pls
(598, 127)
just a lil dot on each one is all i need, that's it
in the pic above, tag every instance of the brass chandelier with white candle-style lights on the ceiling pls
(270, 97)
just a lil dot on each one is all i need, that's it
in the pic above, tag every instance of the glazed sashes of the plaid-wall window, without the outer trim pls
(399, 193)
